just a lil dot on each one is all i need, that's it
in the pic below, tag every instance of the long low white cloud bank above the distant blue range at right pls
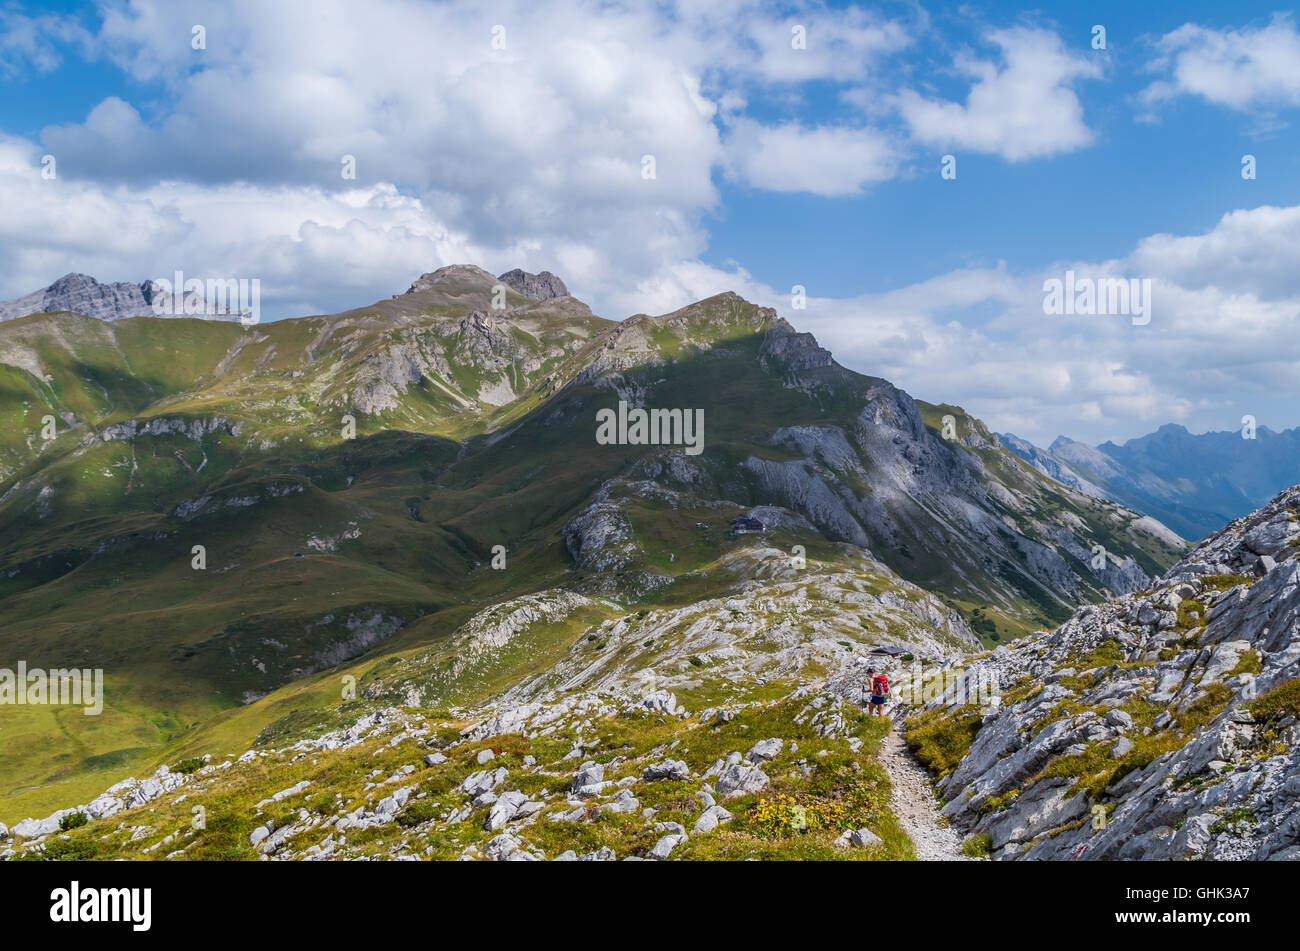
(1212, 351)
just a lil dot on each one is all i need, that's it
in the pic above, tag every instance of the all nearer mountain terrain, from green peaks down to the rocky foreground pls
(371, 587)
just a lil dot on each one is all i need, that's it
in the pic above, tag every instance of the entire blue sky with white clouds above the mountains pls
(657, 154)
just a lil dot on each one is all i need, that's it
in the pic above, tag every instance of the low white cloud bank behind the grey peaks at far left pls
(310, 247)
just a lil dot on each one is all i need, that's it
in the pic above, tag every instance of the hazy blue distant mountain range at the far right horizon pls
(1195, 484)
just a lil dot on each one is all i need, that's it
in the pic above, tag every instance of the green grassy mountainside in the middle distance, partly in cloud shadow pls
(330, 555)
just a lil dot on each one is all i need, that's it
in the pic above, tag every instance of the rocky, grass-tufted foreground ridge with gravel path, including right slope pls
(1160, 726)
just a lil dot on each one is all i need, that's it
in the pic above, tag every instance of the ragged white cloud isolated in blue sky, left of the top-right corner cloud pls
(1026, 108)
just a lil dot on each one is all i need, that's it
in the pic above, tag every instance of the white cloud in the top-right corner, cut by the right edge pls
(1240, 70)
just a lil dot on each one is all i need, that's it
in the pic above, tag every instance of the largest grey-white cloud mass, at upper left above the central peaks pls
(534, 146)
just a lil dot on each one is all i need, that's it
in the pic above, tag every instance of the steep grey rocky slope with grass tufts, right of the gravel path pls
(1160, 726)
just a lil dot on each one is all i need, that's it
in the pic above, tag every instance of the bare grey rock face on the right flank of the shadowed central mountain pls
(916, 476)
